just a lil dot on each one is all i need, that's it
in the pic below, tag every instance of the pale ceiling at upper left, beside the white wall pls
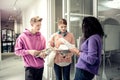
(11, 9)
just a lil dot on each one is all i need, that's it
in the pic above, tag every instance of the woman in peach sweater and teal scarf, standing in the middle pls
(63, 58)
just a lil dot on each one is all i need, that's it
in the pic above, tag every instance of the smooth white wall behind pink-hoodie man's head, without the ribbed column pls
(37, 8)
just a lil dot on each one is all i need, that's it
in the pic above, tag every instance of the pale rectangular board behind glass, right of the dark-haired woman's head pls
(112, 41)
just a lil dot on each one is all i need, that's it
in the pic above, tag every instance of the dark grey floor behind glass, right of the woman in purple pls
(109, 72)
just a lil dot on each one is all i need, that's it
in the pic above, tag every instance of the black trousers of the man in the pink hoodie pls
(33, 73)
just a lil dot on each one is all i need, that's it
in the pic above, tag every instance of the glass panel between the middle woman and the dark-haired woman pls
(77, 10)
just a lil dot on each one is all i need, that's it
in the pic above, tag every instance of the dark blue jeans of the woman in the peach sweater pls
(59, 70)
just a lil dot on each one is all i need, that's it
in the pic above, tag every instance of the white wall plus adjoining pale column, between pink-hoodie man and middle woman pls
(46, 10)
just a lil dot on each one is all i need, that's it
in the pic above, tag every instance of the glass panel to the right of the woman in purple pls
(108, 12)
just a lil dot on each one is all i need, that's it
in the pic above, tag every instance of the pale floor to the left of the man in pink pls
(11, 68)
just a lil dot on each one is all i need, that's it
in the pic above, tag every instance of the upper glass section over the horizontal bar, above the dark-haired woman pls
(81, 6)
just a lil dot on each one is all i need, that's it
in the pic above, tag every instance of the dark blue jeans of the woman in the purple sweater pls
(83, 75)
